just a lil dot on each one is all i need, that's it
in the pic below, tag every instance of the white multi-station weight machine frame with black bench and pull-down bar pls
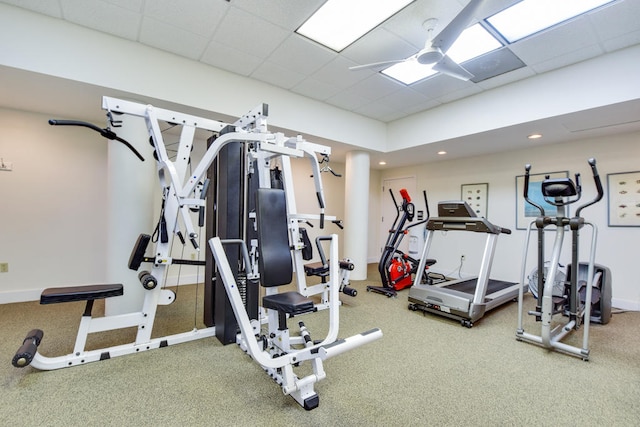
(183, 186)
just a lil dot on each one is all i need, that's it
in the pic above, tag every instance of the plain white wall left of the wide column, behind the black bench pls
(53, 220)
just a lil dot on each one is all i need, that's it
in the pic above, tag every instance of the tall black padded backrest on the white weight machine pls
(273, 238)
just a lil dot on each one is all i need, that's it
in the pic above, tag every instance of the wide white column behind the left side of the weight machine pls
(131, 186)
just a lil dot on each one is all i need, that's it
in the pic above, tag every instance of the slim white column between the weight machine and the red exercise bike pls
(357, 212)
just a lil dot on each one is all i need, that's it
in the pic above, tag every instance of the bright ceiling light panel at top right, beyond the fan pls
(531, 16)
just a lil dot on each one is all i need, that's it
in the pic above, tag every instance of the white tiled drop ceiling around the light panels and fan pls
(257, 39)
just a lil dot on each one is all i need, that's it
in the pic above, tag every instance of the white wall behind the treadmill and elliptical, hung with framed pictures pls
(442, 181)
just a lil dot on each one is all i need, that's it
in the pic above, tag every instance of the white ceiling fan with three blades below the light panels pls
(436, 47)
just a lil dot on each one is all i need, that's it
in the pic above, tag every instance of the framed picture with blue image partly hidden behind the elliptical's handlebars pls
(525, 212)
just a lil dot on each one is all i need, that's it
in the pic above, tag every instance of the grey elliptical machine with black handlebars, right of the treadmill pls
(577, 301)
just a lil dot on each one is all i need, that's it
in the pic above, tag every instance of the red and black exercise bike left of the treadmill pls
(395, 267)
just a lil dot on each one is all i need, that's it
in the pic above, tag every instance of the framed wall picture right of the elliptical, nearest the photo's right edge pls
(623, 196)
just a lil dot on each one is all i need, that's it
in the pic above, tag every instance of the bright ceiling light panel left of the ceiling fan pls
(338, 23)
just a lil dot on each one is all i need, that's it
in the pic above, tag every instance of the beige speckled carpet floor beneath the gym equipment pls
(426, 370)
